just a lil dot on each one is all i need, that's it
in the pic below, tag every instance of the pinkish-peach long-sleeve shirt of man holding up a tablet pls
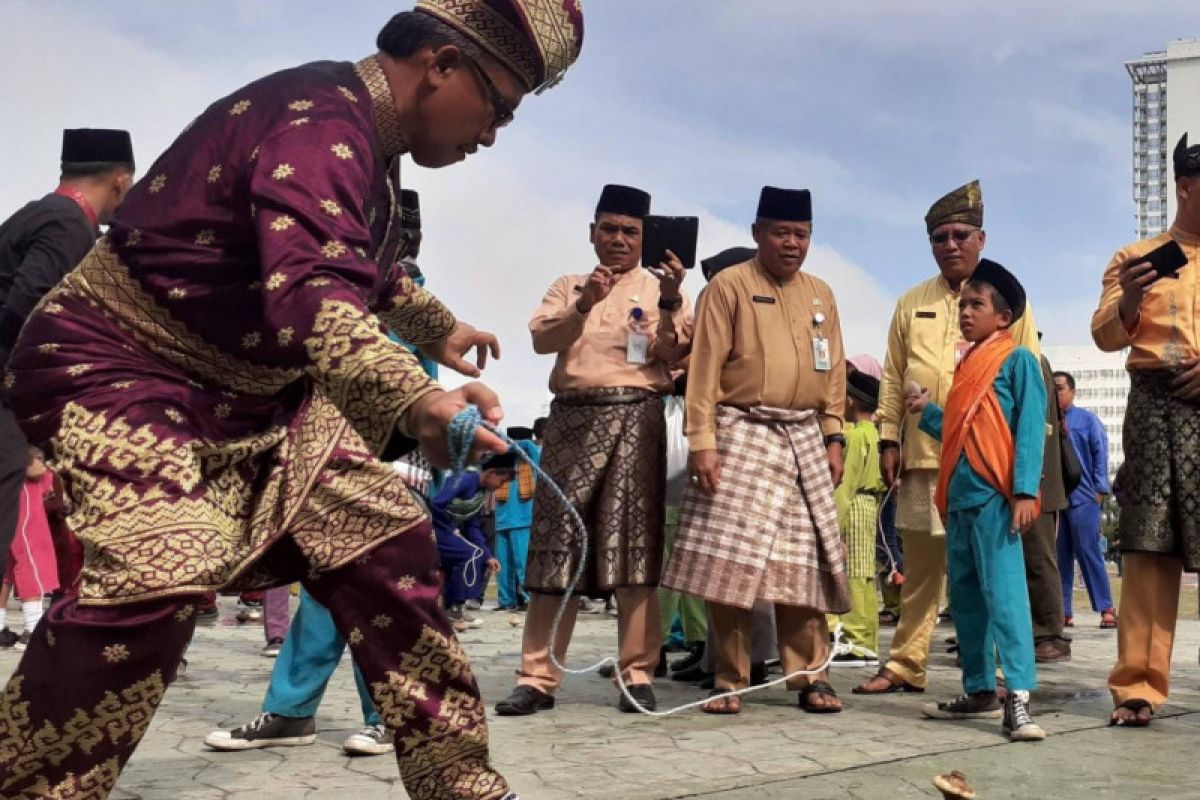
(592, 348)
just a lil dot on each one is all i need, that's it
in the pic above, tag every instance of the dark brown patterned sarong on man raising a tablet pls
(607, 450)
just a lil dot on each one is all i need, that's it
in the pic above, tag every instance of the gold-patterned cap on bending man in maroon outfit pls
(537, 40)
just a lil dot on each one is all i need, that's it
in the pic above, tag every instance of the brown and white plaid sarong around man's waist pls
(771, 533)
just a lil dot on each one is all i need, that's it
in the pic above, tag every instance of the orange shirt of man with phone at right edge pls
(1168, 330)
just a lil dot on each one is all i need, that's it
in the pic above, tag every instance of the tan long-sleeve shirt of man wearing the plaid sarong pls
(754, 346)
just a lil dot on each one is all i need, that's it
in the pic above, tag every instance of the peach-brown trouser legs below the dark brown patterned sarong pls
(639, 637)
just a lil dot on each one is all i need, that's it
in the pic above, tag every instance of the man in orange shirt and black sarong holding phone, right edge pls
(1151, 310)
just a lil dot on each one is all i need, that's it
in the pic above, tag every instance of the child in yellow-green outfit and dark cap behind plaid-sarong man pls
(859, 507)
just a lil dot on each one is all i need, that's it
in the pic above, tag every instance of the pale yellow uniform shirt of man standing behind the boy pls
(925, 346)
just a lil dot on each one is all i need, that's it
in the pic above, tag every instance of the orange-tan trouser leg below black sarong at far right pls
(1150, 605)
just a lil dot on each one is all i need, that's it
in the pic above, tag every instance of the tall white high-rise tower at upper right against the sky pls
(1166, 87)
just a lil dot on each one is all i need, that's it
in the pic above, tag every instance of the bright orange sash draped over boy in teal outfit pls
(975, 423)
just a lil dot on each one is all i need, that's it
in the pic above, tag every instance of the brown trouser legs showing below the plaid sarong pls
(803, 643)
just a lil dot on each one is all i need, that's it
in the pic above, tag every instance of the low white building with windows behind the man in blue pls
(1102, 387)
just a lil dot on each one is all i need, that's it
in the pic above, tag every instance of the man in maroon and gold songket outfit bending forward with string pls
(217, 384)
